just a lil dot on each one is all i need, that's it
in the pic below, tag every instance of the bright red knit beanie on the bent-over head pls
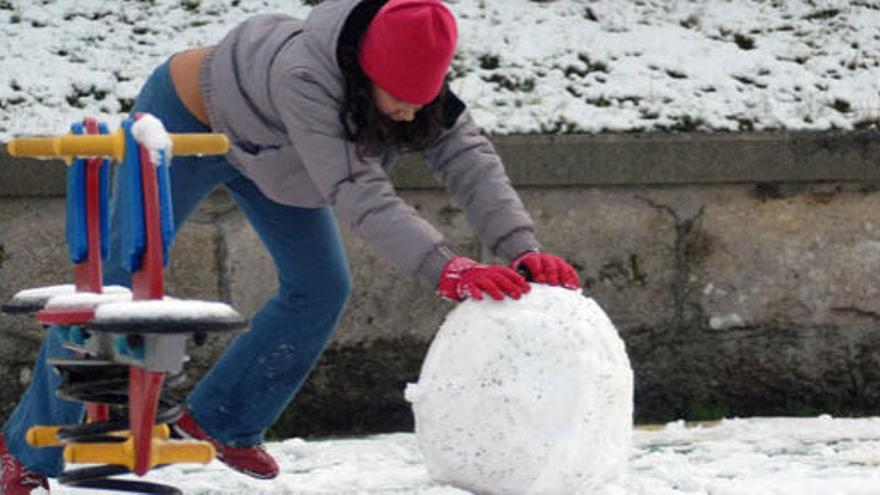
(408, 47)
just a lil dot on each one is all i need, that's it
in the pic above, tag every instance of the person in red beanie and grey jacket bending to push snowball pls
(314, 111)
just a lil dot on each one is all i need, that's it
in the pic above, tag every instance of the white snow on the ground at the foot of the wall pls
(756, 456)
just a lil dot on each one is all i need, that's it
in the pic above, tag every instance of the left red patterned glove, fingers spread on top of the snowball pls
(463, 277)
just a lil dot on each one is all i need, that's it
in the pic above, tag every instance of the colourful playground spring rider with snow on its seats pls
(128, 341)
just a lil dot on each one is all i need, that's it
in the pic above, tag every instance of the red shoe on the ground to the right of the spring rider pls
(253, 461)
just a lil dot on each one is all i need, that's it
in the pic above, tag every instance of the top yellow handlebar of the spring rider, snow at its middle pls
(111, 145)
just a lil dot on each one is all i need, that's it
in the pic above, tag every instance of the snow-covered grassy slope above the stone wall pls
(523, 65)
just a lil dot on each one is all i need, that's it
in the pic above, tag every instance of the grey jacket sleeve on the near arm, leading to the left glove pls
(360, 190)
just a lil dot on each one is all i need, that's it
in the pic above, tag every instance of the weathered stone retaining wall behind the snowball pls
(741, 270)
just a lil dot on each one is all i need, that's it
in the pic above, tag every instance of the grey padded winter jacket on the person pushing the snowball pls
(274, 87)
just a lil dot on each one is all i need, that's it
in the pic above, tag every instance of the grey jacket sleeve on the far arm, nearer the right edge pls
(474, 175)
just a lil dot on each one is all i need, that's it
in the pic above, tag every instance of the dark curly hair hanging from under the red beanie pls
(364, 124)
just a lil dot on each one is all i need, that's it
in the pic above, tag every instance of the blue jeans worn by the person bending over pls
(254, 380)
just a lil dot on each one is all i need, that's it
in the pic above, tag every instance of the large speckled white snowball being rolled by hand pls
(525, 397)
